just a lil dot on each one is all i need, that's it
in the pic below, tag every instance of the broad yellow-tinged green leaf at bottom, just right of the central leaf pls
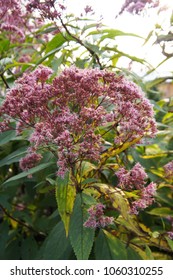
(109, 247)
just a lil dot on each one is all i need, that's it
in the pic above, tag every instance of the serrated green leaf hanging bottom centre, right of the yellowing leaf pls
(81, 238)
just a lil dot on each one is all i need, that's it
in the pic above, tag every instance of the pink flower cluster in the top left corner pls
(19, 19)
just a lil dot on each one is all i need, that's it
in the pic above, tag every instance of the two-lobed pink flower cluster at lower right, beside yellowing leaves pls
(135, 180)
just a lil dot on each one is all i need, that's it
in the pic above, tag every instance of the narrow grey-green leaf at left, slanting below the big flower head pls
(29, 172)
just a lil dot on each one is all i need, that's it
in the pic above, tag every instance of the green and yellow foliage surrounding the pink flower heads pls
(31, 223)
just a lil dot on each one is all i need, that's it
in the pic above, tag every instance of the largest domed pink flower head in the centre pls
(65, 115)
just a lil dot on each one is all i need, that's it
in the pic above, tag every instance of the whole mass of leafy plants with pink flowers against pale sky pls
(86, 162)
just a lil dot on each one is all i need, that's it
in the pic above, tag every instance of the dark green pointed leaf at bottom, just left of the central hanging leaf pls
(57, 245)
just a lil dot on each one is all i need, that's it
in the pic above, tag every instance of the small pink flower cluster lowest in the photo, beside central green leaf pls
(97, 217)
